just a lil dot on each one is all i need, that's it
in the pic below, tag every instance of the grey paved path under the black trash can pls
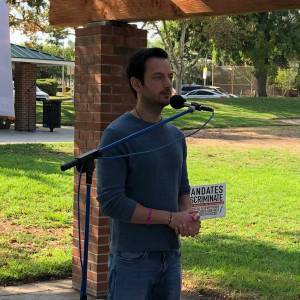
(41, 135)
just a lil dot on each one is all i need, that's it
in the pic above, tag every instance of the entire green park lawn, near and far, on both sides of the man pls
(252, 253)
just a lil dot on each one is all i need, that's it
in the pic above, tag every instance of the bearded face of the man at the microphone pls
(157, 88)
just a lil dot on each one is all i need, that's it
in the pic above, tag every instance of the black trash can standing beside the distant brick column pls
(51, 114)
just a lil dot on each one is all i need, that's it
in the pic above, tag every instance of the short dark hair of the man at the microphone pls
(137, 61)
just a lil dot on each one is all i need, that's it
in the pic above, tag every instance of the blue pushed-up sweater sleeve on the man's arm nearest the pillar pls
(111, 180)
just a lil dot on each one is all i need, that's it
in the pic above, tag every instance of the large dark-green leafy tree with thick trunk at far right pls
(267, 41)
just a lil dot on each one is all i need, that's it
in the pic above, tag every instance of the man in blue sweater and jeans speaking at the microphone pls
(146, 196)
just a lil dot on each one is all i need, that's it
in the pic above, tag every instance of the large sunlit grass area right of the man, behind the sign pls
(254, 250)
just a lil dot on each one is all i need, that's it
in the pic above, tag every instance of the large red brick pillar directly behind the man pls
(101, 95)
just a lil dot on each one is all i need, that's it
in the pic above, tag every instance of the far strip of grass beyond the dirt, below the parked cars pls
(239, 112)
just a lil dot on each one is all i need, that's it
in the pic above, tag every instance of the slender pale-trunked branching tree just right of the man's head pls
(186, 41)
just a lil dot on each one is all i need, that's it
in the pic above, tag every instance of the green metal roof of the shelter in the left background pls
(23, 54)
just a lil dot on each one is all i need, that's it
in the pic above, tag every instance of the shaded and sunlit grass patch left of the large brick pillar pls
(36, 212)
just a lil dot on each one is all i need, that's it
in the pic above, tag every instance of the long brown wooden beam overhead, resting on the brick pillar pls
(81, 12)
